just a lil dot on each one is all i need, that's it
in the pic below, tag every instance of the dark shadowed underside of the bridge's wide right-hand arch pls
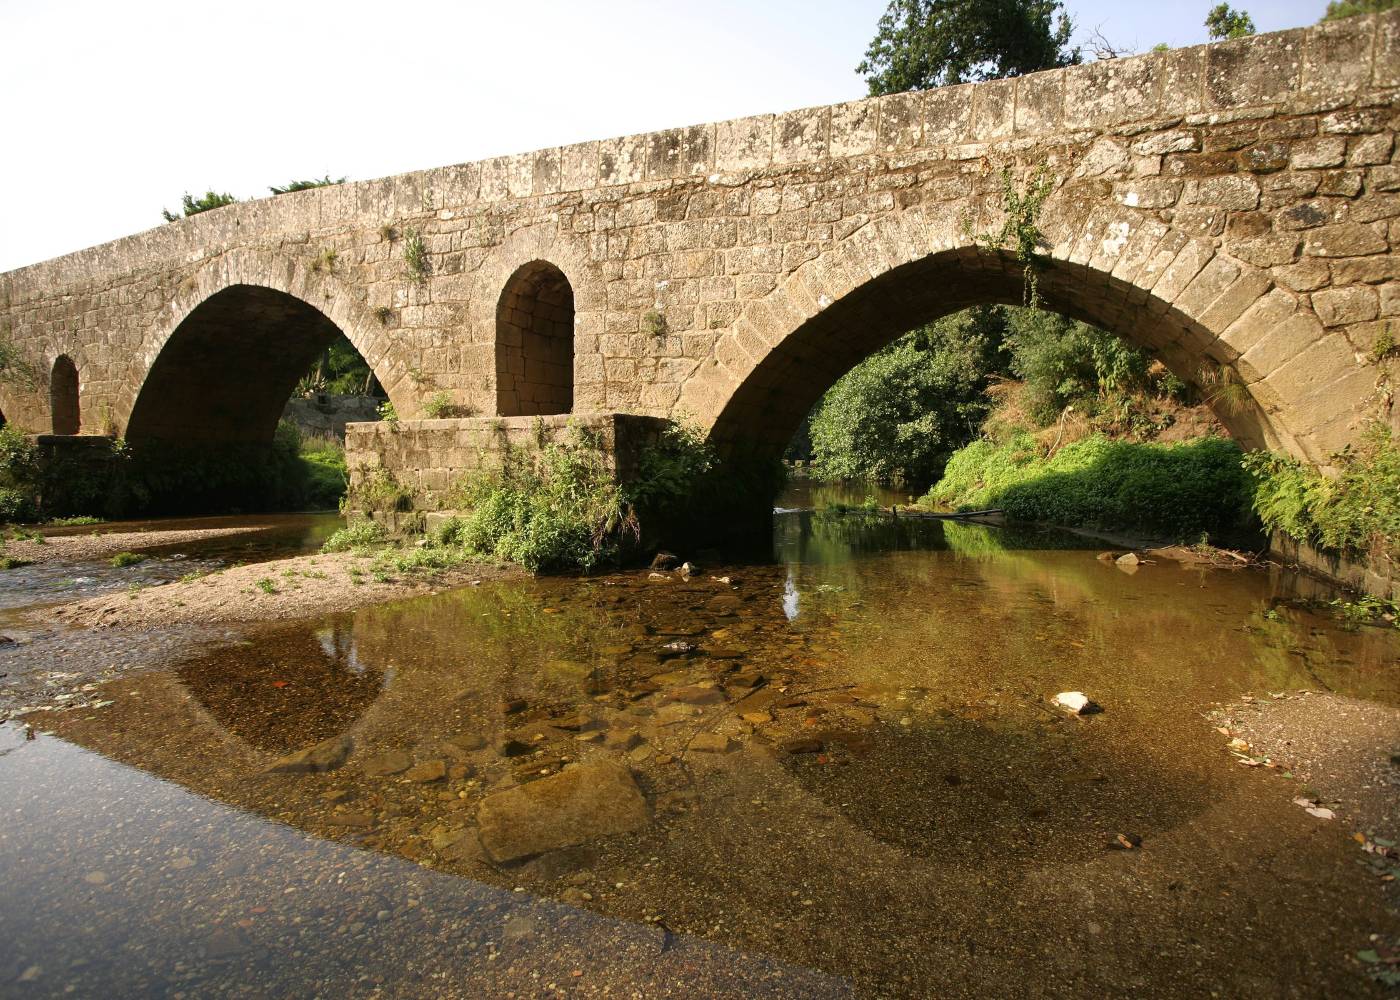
(766, 408)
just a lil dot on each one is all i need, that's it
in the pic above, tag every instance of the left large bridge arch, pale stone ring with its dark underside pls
(233, 342)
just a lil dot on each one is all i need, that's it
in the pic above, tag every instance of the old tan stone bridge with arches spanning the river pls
(1234, 205)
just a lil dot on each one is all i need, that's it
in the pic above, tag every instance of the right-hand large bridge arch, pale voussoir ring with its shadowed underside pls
(1125, 271)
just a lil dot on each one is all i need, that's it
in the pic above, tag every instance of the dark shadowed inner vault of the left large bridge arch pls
(226, 373)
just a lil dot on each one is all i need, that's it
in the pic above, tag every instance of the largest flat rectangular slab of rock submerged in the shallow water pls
(586, 802)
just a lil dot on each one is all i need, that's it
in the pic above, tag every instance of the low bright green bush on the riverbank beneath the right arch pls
(1179, 489)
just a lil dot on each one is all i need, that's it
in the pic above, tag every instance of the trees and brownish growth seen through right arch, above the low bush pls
(993, 370)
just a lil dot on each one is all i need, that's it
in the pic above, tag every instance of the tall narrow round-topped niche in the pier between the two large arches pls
(535, 342)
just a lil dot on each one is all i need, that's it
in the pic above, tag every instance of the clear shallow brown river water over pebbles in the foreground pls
(834, 774)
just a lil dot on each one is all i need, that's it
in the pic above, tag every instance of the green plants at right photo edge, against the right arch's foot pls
(1357, 512)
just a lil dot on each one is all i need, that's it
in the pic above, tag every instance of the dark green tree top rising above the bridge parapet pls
(922, 44)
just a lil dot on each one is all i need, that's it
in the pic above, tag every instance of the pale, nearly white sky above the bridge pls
(115, 110)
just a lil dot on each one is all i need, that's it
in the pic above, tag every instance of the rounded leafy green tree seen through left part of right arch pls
(902, 412)
